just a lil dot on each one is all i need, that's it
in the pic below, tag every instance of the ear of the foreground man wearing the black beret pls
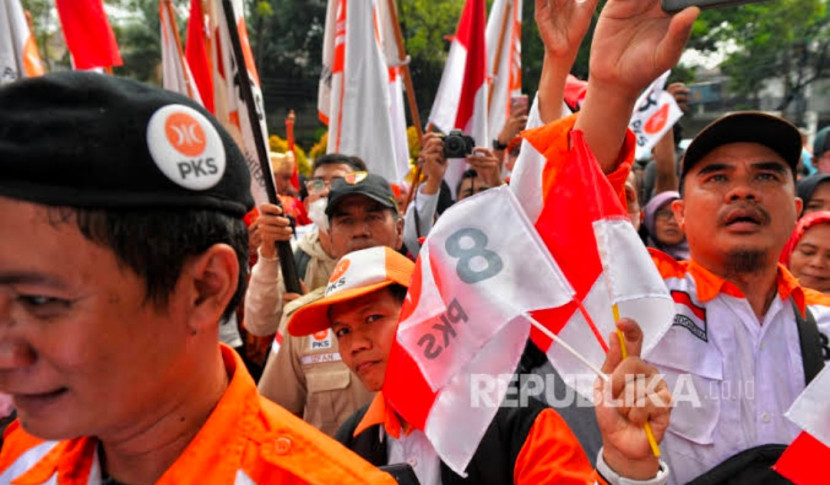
(215, 274)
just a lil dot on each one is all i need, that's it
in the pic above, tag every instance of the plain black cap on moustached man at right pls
(774, 132)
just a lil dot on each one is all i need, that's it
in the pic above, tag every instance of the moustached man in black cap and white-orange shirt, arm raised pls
(740, 350)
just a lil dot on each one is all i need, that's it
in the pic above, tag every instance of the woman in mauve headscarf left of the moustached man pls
(664, 233)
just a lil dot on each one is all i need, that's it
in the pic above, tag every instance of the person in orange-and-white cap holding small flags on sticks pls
(524, 444)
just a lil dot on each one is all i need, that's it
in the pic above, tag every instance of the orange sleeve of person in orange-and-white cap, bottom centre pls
(551, 453)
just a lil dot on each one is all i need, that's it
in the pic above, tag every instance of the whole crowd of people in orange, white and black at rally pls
(132, 256)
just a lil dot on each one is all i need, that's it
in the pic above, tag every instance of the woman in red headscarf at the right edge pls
(807, 254)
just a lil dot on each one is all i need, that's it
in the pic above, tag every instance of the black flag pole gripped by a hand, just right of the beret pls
(286, 256)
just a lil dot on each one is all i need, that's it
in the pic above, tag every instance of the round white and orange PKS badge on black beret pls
(186, 147)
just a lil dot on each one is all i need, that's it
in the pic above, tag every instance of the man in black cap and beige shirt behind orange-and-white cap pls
(306, 375)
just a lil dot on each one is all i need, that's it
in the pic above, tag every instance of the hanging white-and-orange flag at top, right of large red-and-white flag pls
(504, 61)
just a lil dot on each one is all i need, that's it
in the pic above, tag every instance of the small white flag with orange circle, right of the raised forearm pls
(654, 115)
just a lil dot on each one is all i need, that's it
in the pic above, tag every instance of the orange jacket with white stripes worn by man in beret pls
(245, 440)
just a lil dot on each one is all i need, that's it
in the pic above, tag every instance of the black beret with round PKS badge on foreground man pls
(88, 140)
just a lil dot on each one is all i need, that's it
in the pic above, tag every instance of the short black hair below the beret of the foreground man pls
(155, 243)
